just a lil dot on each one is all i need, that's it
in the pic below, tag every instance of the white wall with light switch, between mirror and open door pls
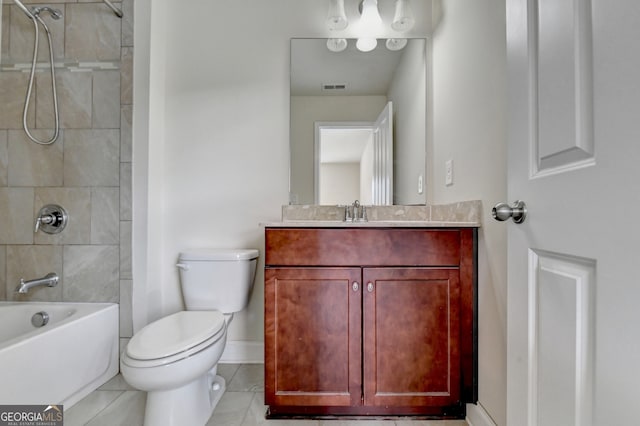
(469, 109)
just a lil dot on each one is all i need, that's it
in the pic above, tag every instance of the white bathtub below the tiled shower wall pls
(62, 361)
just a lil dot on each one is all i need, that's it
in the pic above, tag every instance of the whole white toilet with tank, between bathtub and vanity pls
(174, 359)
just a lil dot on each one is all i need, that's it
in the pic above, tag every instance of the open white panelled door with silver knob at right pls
(574, 156)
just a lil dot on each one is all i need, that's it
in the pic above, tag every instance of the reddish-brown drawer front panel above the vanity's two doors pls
(363, 247)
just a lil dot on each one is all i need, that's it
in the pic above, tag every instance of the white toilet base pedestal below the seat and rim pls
(191, 404)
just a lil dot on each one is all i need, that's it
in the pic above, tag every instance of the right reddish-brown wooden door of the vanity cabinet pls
(411, 337)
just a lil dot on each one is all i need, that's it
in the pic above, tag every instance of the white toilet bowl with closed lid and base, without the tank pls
(174, 360)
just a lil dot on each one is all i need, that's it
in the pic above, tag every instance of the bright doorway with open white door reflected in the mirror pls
(354, 161)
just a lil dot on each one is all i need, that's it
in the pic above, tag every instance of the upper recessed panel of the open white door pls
(560, 60)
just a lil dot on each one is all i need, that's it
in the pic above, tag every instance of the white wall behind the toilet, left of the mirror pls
(211, 129)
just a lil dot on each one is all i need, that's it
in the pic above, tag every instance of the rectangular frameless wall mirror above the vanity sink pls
(350, 89)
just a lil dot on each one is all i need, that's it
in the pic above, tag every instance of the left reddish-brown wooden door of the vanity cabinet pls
(313, 336)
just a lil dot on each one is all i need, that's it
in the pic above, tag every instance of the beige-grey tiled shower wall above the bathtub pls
(87, 170)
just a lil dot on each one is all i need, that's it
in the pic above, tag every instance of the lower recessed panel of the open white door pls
(561, 339)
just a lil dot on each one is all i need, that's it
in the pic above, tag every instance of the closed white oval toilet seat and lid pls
(175, 337)
